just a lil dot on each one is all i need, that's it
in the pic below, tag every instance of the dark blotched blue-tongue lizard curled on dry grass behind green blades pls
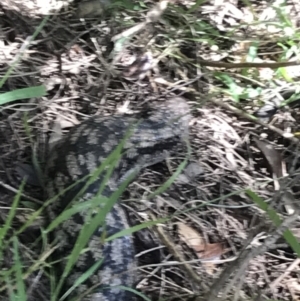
(78, 154)
